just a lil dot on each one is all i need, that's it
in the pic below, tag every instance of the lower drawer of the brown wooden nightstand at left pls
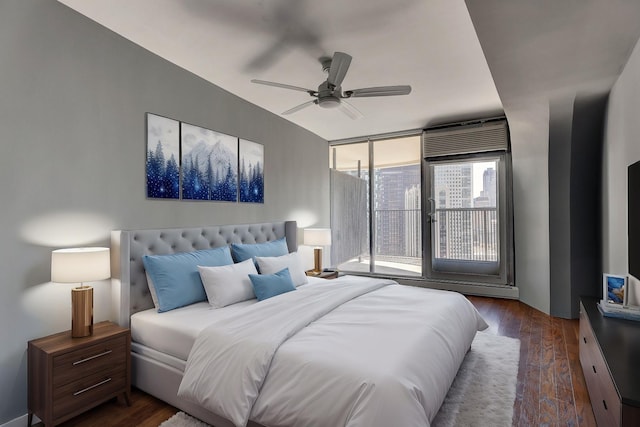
(76, 396)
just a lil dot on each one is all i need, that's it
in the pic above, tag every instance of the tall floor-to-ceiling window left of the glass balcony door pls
(390, 169)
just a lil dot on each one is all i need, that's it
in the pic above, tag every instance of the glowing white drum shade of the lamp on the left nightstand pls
(77, 265)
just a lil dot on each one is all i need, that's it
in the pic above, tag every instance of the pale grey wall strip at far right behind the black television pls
(622, 148)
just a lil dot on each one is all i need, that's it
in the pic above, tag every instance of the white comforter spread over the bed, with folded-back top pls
(353, 351)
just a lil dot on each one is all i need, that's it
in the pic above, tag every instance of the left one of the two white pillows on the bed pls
(228, 284)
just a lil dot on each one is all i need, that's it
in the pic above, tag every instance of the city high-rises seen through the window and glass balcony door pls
(464, 223)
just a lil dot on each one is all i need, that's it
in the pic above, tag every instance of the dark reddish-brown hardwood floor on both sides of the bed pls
(551, 390)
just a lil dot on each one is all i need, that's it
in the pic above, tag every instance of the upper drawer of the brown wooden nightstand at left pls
(79, 363)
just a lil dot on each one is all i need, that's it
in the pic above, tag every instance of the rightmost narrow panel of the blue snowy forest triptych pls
(251, 172)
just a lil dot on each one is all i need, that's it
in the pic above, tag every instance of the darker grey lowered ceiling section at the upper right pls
(549, 49)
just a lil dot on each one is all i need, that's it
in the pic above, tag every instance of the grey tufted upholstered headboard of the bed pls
(130, 292)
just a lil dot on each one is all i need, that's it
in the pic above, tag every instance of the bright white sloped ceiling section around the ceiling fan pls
(430, 45)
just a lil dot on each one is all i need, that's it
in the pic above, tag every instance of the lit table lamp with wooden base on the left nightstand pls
(79, 265)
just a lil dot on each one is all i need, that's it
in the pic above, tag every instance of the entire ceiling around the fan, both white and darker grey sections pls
(537, 51)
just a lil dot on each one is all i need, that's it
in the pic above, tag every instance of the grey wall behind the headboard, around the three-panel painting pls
(73, 98)
